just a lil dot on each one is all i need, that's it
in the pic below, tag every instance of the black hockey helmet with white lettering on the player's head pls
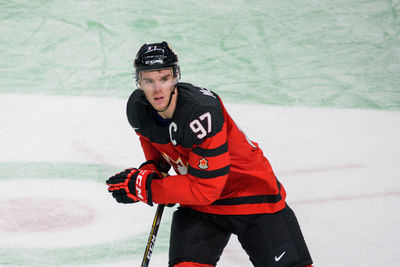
(154, 57)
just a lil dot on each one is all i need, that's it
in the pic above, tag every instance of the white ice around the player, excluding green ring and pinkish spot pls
(340, 168)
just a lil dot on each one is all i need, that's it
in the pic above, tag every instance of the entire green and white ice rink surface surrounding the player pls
(315, 83)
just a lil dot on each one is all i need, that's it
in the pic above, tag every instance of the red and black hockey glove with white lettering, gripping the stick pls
(132, 185)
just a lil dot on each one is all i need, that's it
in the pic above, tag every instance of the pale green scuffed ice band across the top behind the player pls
(312, 53)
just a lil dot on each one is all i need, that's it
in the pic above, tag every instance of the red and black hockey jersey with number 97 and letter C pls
(219, 170)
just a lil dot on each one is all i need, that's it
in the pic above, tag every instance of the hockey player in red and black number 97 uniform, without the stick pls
(224, 184)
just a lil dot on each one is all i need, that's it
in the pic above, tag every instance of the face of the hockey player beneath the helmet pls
(157, 86)
